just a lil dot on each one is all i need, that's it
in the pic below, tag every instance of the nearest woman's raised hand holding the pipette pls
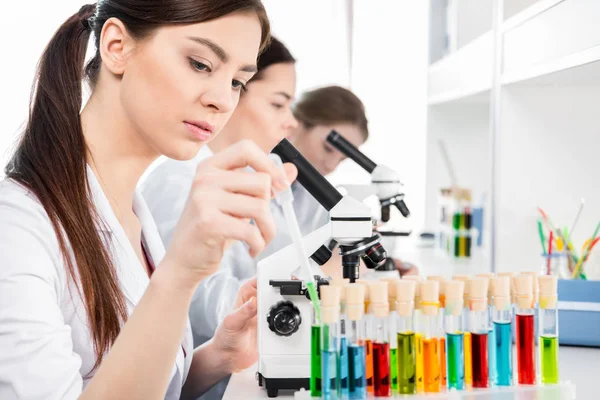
(224, 196)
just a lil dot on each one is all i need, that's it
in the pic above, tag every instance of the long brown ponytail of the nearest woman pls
(51, 161)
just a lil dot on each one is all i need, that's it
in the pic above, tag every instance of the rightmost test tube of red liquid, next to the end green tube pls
(525, 330)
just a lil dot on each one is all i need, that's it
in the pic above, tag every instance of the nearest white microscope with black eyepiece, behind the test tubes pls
(284, 309)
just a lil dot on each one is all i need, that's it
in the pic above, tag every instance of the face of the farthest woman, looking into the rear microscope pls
(313, 145)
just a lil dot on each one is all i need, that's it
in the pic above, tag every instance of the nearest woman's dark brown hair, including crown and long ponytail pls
(50, 159)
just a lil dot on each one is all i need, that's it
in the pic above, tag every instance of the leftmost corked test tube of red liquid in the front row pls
(381, 339)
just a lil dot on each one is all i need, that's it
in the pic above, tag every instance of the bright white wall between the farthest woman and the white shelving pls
(389, 74)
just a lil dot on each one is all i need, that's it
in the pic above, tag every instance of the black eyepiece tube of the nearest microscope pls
(308, 176)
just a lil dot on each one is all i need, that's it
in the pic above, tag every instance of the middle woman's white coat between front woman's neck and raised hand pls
(166, 191)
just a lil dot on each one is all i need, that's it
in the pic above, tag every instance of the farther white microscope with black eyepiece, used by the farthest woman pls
(386, 185)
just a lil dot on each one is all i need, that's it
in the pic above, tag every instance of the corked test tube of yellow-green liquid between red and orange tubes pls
(405, 296)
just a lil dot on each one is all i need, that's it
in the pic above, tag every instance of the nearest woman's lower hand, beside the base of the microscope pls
(235, 338)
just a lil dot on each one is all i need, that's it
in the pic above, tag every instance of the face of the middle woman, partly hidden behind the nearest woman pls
(264, 113)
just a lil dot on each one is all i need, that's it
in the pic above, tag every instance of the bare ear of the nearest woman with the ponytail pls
(116, 44)
